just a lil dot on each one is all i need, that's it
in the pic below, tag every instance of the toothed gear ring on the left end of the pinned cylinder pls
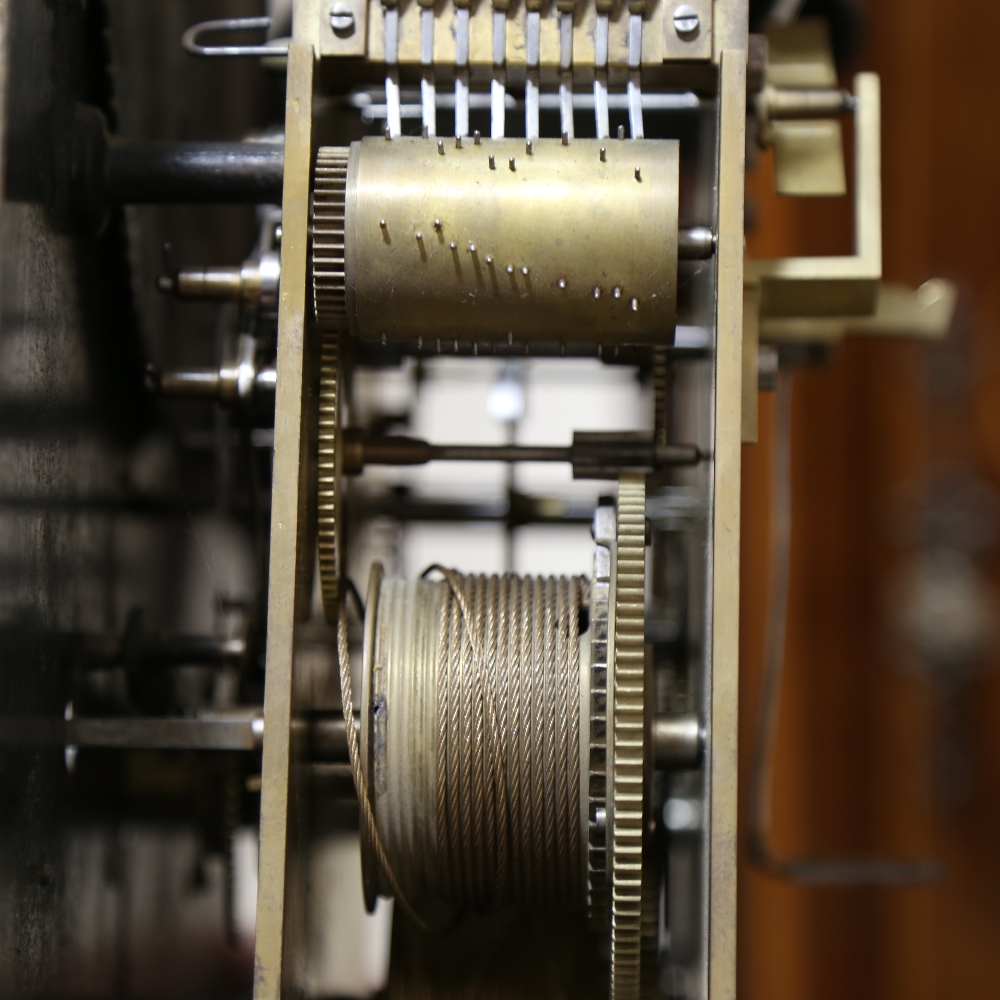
(328, 224)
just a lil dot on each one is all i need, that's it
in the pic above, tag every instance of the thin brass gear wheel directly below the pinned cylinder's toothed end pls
(328, 475)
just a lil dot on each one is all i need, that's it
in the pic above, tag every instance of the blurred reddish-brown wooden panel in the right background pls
(871, 428)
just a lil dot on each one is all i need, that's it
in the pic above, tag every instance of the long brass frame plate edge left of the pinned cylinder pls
(279, 903)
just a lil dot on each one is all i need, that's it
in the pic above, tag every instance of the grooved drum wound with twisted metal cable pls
(475, 710)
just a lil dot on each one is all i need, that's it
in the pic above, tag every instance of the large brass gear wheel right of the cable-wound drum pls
(627, 691)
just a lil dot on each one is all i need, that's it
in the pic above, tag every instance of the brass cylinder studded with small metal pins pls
(489, 242)
